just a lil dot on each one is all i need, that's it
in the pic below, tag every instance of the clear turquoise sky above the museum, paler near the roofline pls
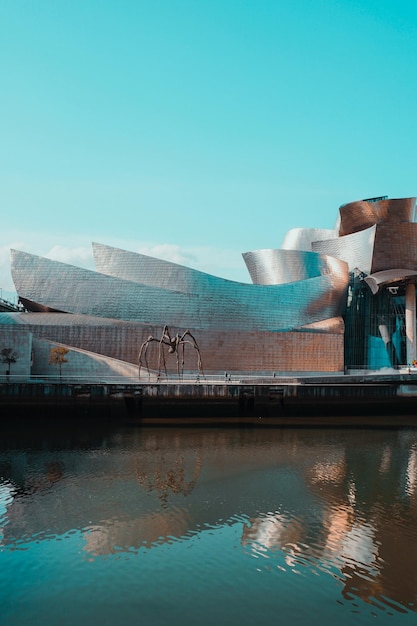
(198, 129)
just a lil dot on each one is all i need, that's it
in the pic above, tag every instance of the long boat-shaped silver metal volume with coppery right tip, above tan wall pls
(217, 303)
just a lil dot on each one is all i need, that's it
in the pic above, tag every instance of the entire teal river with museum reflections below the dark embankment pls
(125, 525)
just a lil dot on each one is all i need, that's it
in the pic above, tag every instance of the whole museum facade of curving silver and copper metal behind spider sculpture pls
(291, 318)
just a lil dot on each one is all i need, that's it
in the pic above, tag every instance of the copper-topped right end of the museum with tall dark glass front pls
(380, 318)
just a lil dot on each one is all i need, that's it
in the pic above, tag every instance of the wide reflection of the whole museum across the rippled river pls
(338, 503)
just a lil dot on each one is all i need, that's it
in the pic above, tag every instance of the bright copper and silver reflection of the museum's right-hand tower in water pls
(367, 531)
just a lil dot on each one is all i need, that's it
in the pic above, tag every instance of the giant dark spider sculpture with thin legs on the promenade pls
(176, 345)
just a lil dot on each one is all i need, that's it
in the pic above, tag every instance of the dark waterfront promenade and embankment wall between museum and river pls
(345, 399)
